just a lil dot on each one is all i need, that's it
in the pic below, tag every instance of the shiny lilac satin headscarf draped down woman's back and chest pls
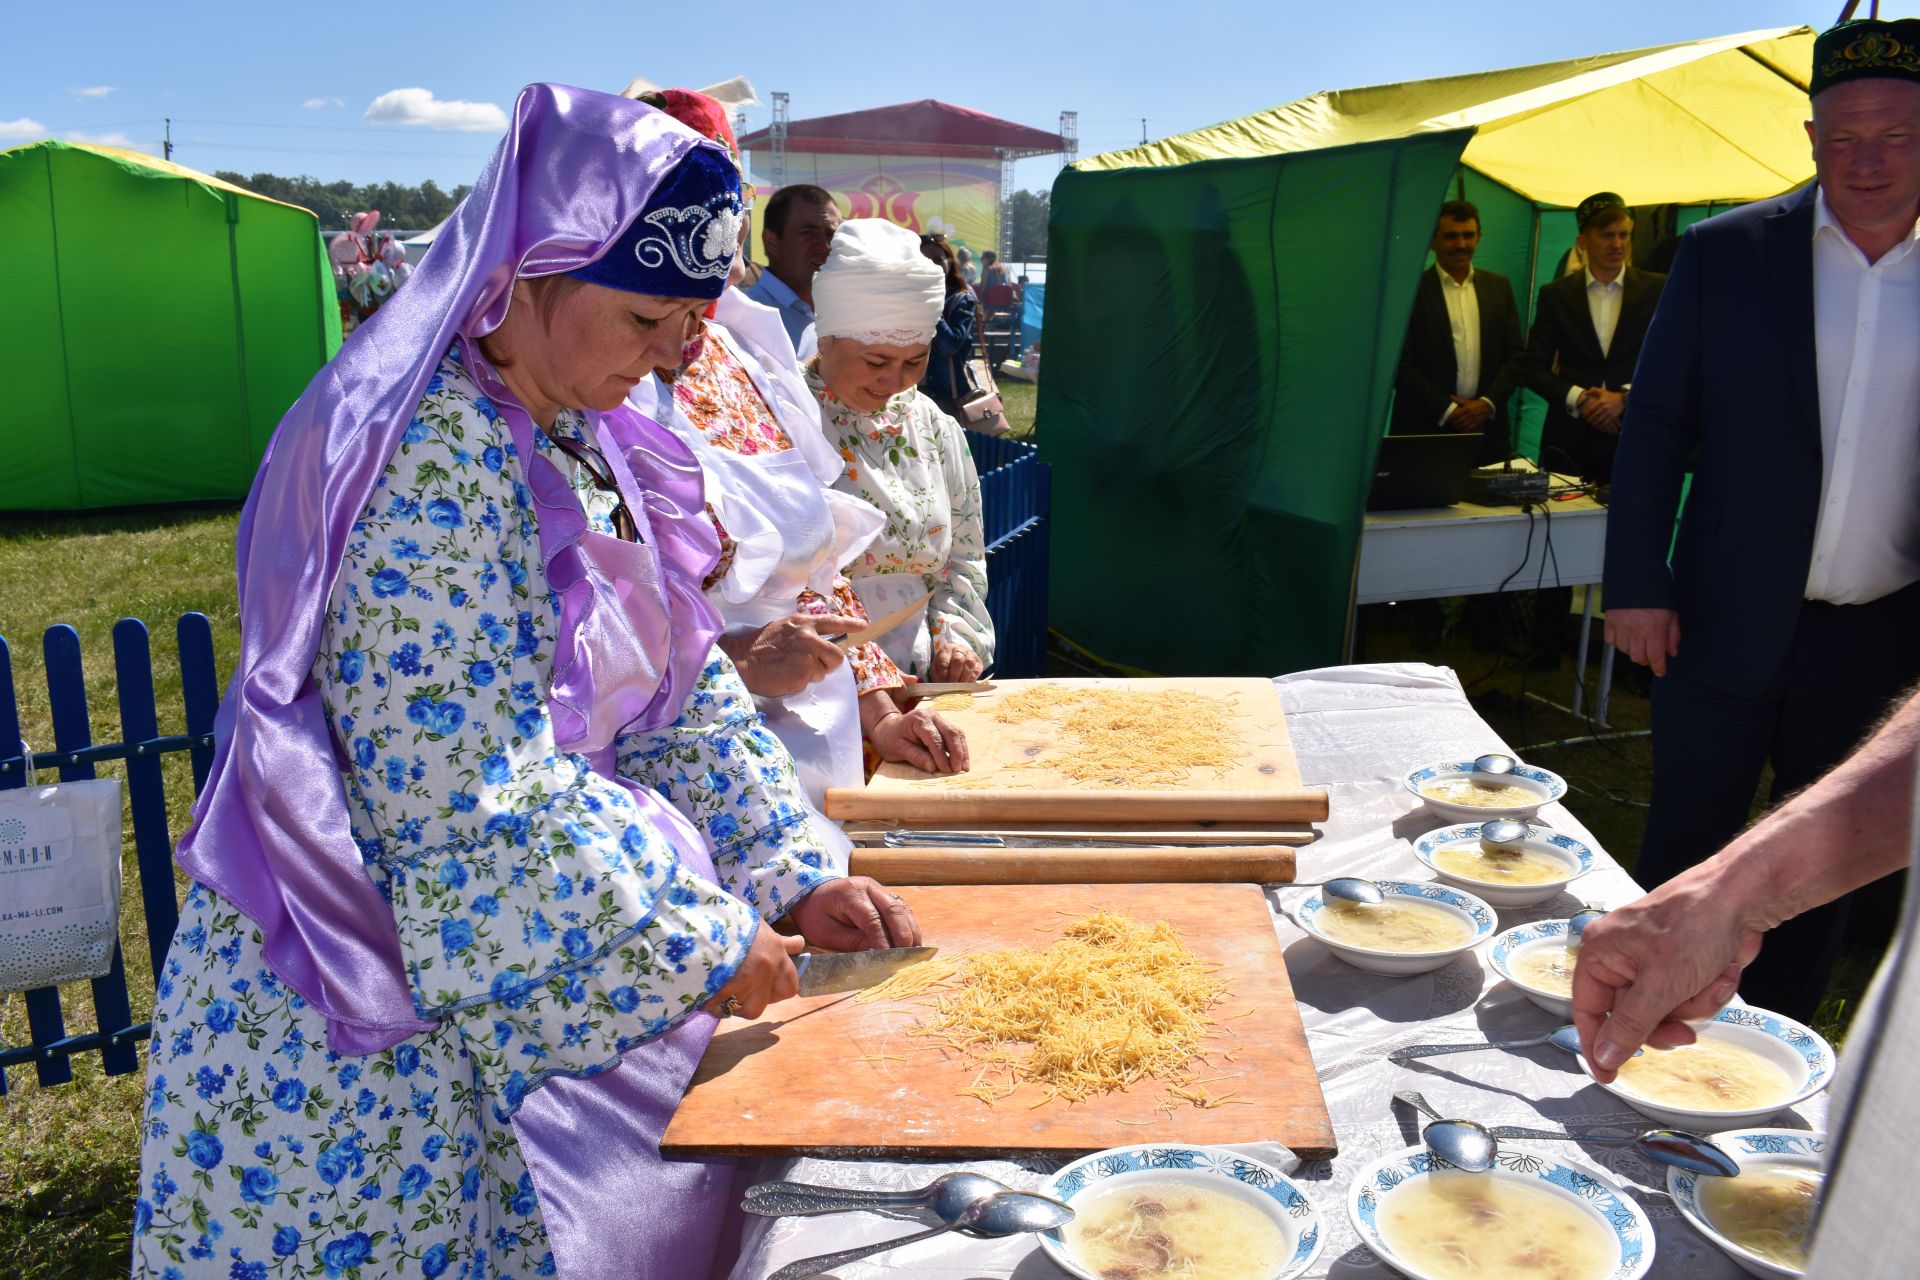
(272, 830)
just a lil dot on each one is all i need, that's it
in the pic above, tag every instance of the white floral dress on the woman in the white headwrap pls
(913, 463)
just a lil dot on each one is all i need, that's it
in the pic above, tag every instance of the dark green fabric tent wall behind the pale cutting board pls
(1207, 394)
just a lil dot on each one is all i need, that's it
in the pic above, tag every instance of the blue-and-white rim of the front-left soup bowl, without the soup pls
(1216, 1170)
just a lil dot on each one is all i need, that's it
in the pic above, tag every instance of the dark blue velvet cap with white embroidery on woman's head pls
(684, 241)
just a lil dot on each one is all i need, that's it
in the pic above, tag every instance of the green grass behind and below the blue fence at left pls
(68, 1156)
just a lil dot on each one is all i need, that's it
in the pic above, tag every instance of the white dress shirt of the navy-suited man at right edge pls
(1867, 337)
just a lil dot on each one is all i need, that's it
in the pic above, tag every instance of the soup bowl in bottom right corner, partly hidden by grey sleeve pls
(1762, 1220)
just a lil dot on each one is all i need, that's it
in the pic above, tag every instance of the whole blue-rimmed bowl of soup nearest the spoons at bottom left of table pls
(1199, 1214)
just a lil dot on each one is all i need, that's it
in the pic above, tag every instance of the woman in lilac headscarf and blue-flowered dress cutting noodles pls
(492, 828)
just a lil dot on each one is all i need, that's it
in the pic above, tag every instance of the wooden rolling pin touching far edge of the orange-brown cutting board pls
(1074, 866)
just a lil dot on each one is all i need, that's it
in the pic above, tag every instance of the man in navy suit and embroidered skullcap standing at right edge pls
(1783, 369)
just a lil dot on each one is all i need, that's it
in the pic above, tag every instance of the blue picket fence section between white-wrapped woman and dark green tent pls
(1015, 504)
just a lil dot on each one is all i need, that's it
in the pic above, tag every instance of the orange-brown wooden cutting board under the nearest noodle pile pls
(832, 1078)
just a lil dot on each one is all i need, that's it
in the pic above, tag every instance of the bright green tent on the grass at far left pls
(158, 325)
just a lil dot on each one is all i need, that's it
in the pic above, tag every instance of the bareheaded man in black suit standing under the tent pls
(1458, 364)
